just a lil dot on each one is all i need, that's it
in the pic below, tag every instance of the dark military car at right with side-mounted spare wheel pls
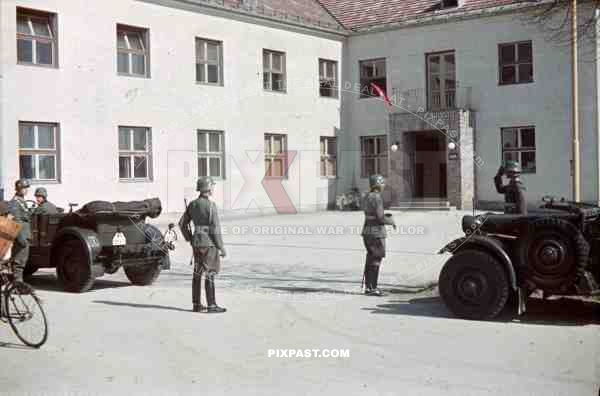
(506, 257)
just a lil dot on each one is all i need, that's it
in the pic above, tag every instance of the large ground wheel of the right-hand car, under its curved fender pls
(473, 284)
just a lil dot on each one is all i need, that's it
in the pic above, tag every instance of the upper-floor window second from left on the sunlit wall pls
(132, 51)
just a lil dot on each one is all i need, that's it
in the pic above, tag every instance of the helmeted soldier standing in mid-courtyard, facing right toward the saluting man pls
(374, 233)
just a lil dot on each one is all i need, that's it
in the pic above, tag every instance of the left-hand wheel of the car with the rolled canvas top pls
(73, 267)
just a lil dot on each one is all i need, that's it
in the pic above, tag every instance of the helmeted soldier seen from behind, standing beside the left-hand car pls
(207, 245)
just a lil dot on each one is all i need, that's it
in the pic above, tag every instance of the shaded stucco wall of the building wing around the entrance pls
(545, 103)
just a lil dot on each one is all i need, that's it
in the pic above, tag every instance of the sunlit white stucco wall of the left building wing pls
(89, 101)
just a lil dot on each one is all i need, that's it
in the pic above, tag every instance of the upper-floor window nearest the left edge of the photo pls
(36, 38)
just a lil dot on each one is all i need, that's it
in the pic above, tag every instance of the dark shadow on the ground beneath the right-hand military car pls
(558, 312)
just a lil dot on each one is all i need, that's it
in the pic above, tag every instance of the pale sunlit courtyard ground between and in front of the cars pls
(298, 287)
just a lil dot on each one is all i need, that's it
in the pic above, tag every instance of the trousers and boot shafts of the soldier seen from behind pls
(207, 264)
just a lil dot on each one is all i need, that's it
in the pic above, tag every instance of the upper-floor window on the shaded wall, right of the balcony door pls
(515, 63)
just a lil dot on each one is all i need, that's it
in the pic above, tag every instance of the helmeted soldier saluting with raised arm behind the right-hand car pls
(514, 196)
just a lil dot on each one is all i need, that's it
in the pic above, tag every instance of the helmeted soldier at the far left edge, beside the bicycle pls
(17, 207)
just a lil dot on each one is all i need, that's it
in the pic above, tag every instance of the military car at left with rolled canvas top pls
(100, 238)
